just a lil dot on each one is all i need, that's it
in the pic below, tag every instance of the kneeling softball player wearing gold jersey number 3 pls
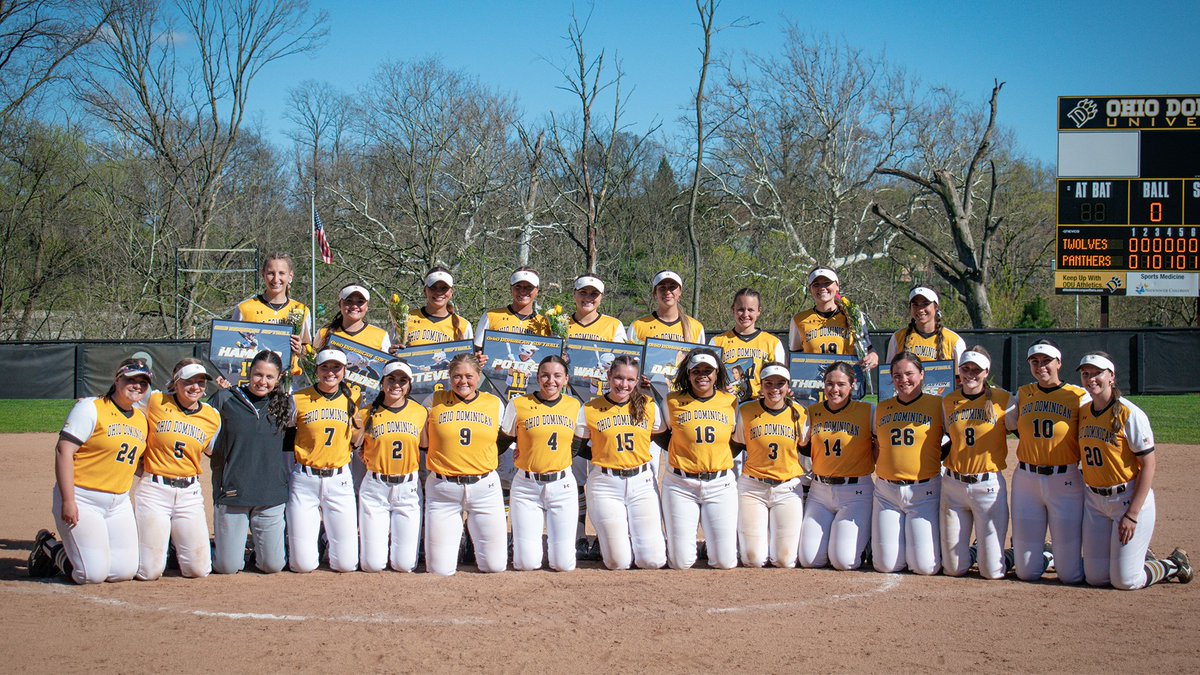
(770, 495)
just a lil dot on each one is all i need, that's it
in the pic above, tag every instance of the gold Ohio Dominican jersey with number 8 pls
(976, 427)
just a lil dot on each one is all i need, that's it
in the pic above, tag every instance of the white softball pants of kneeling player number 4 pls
(554, 506)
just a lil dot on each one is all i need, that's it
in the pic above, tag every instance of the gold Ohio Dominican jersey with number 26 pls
(910, 438)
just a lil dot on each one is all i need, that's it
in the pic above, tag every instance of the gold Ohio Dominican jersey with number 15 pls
(617, 441)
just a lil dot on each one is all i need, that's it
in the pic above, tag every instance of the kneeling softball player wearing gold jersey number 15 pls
(622, 494)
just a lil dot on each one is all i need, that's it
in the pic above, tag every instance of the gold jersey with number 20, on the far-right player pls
(1112, 458)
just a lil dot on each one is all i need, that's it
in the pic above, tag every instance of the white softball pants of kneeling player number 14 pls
(837, 524)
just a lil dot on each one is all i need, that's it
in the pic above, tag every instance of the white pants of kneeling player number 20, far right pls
(1106, 559)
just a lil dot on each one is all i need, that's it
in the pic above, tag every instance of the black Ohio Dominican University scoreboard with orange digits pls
(1129, 196)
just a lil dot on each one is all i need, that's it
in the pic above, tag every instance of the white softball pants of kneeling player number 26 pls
(905, 529)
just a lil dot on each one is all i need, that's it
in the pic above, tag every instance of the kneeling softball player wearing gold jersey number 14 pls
(838, 510)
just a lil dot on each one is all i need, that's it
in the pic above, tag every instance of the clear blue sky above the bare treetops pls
(1041, 50)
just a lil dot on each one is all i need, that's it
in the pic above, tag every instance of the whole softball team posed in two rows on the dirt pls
(505, 464)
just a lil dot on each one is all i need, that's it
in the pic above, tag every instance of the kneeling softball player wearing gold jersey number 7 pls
(322, 491)
